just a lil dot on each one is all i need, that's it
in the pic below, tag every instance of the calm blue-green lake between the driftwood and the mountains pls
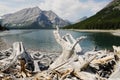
(44, 40)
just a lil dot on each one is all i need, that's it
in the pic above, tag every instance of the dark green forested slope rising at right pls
(107, 18)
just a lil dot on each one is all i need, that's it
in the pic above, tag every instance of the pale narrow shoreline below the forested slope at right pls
(113, 32)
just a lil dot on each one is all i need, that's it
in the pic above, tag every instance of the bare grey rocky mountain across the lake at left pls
(32, 18)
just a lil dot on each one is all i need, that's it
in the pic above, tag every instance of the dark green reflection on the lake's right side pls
(105, 40)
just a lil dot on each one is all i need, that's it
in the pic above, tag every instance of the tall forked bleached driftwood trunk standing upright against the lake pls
(68, 48)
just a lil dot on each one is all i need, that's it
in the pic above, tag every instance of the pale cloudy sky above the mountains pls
(71, 10)
